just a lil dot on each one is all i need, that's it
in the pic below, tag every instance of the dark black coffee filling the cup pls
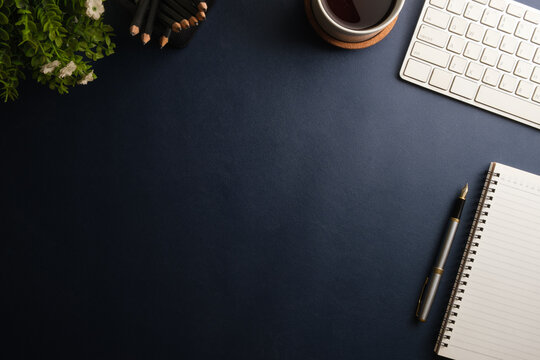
(359, 14)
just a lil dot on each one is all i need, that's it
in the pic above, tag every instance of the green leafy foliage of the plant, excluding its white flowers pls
(36, 32)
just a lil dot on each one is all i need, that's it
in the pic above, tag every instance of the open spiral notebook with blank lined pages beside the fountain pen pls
(494, 310)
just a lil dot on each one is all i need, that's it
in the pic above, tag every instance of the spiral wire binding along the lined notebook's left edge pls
(467, 261)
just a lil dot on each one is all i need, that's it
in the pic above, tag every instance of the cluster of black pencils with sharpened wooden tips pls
(174, 15)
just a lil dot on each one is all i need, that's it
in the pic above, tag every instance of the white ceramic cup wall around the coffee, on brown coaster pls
(339, 32)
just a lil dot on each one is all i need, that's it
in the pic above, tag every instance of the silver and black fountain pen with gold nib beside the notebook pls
(432, 282)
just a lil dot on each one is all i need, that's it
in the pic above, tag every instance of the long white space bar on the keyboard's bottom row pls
(508, 104)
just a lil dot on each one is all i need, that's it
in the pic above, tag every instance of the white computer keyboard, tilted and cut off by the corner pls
(483, 52)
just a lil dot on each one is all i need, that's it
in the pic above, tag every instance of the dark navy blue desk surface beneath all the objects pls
(258, 195)
